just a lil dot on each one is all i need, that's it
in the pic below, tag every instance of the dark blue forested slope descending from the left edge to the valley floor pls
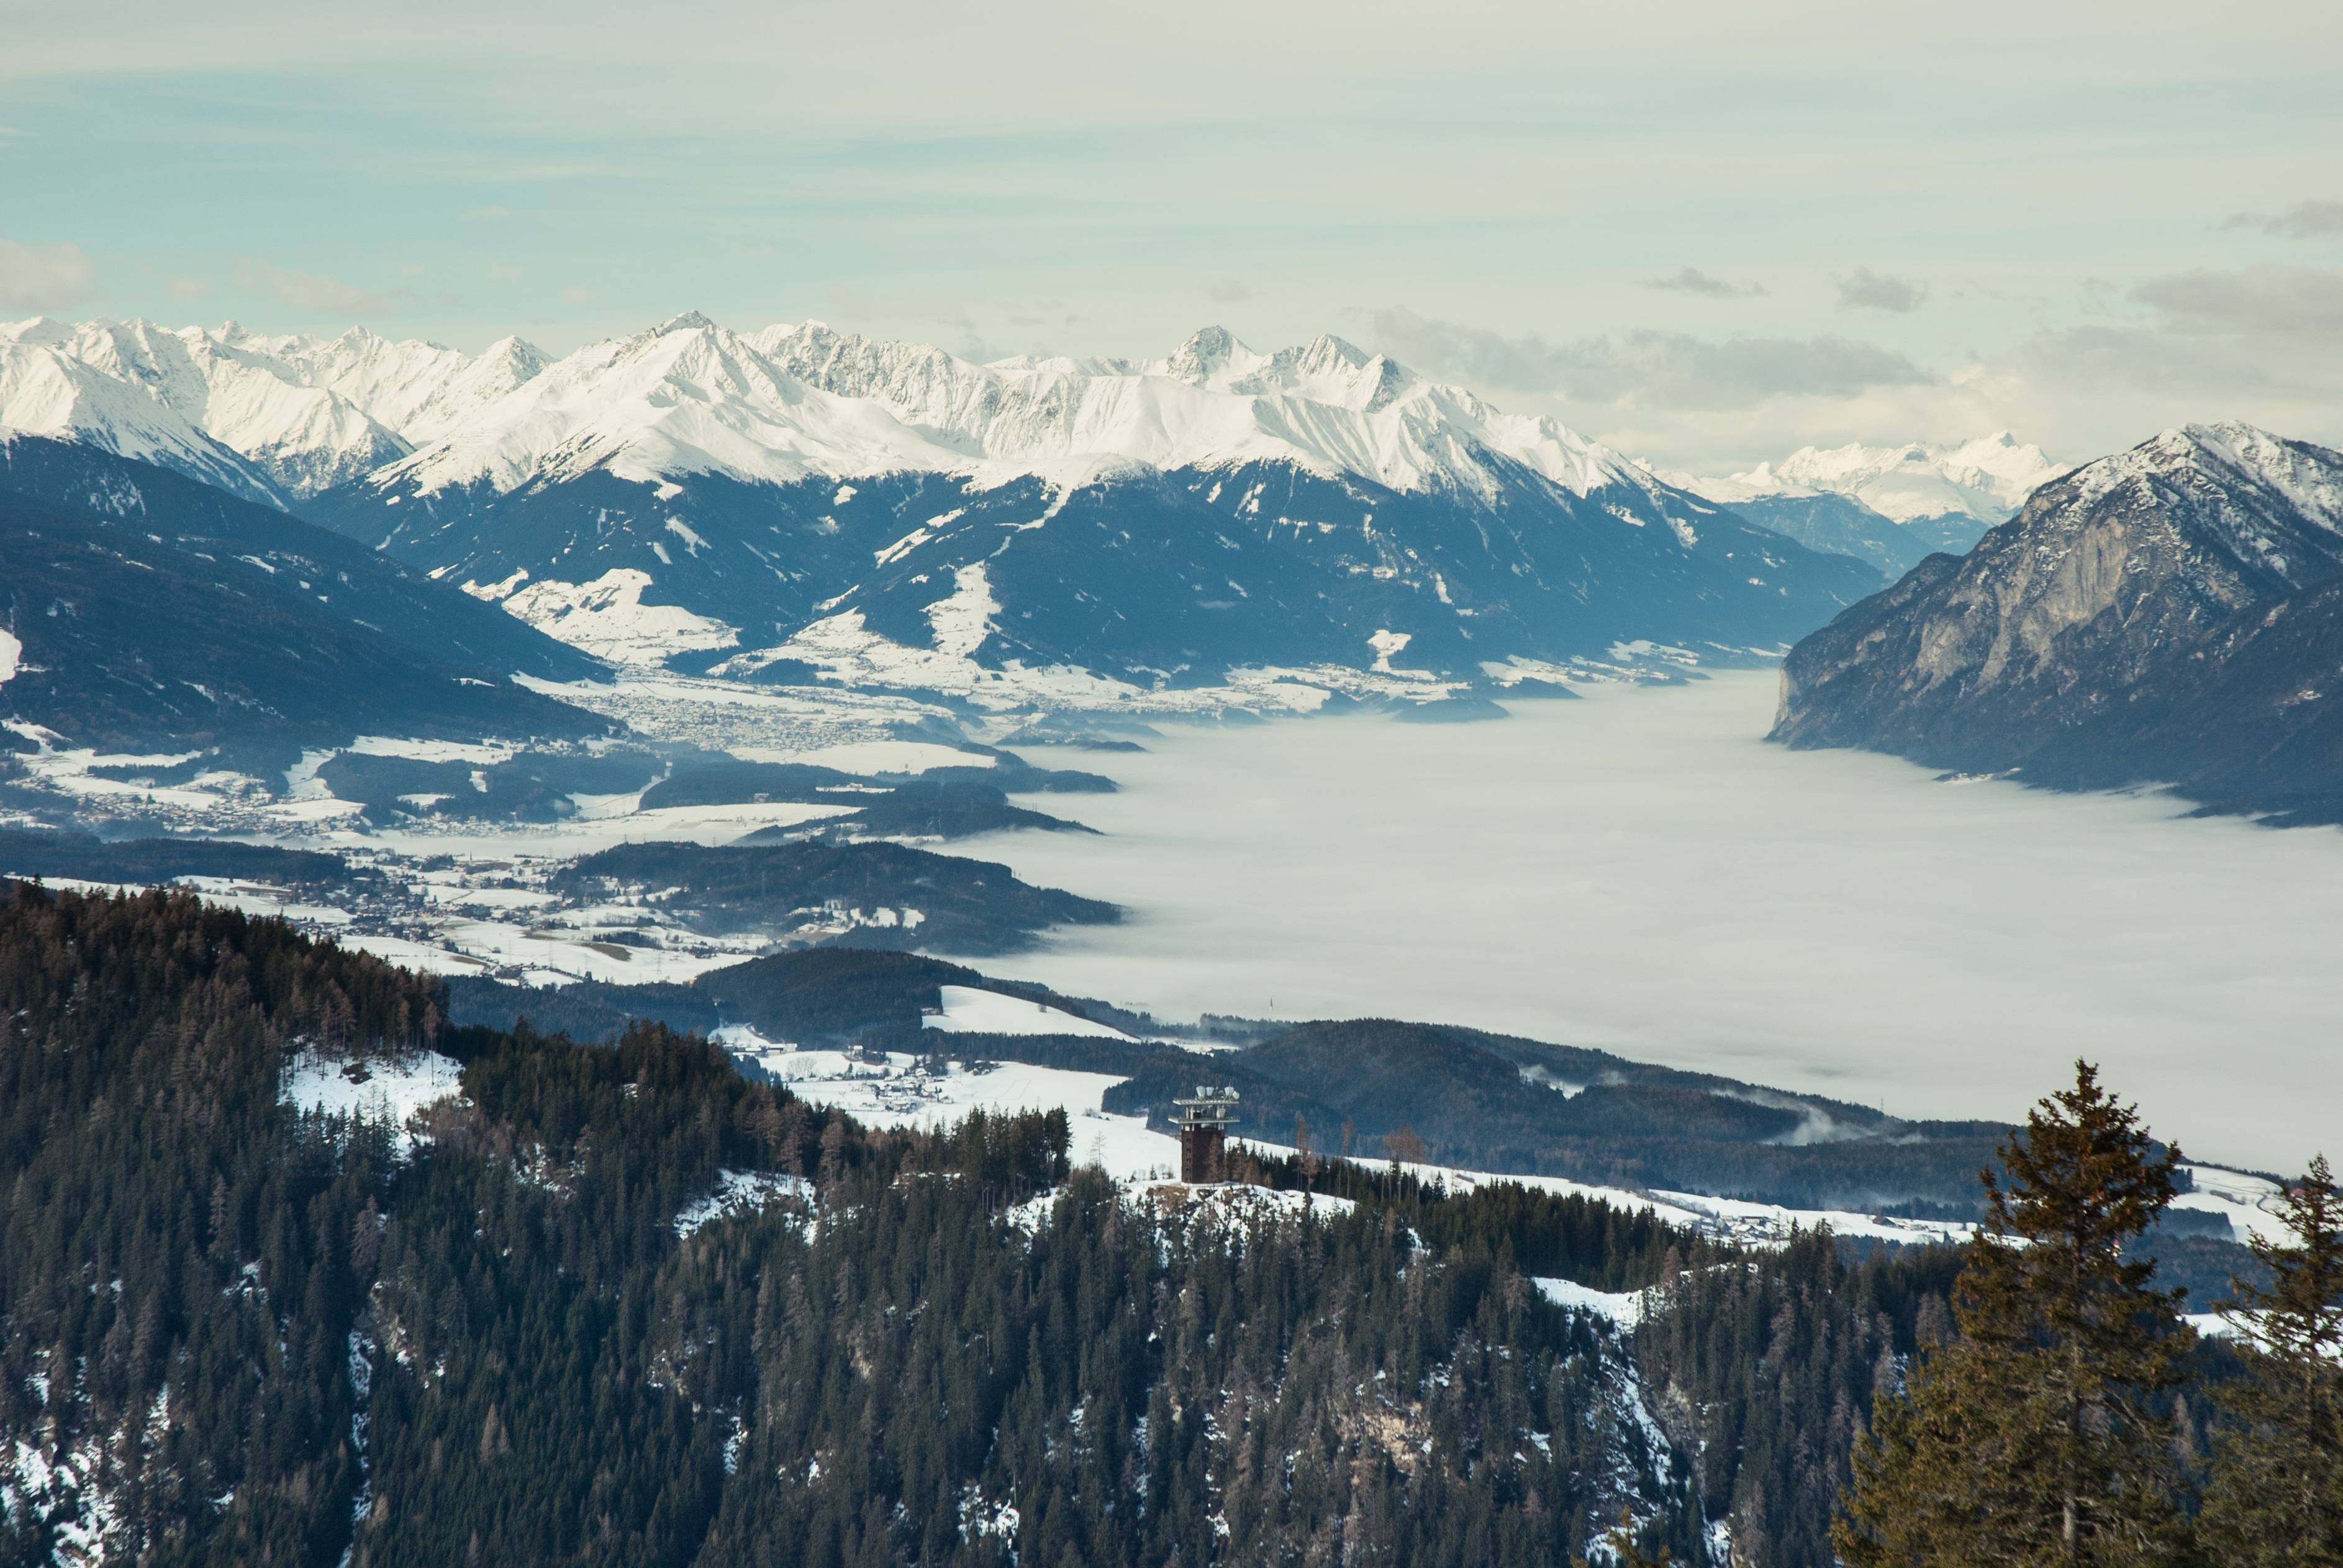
(149, 613)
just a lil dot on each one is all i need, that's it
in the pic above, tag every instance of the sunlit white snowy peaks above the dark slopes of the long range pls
(779, 404)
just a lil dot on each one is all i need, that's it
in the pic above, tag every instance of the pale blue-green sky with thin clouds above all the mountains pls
(1707, 233)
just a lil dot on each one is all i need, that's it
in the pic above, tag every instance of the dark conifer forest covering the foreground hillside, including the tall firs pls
(524, 1335)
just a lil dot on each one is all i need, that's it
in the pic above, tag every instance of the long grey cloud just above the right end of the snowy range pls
(1651, 369)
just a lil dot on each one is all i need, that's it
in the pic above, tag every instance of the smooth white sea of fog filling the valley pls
(1641, 873)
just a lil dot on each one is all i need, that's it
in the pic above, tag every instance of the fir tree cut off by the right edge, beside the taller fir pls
(2276, 1492)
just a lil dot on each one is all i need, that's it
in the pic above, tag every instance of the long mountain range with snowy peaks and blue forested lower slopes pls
(798, 503)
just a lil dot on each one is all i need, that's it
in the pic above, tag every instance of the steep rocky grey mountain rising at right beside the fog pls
(2086, 639)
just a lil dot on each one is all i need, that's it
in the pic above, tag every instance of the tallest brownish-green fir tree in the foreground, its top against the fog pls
(2033, 1436)
